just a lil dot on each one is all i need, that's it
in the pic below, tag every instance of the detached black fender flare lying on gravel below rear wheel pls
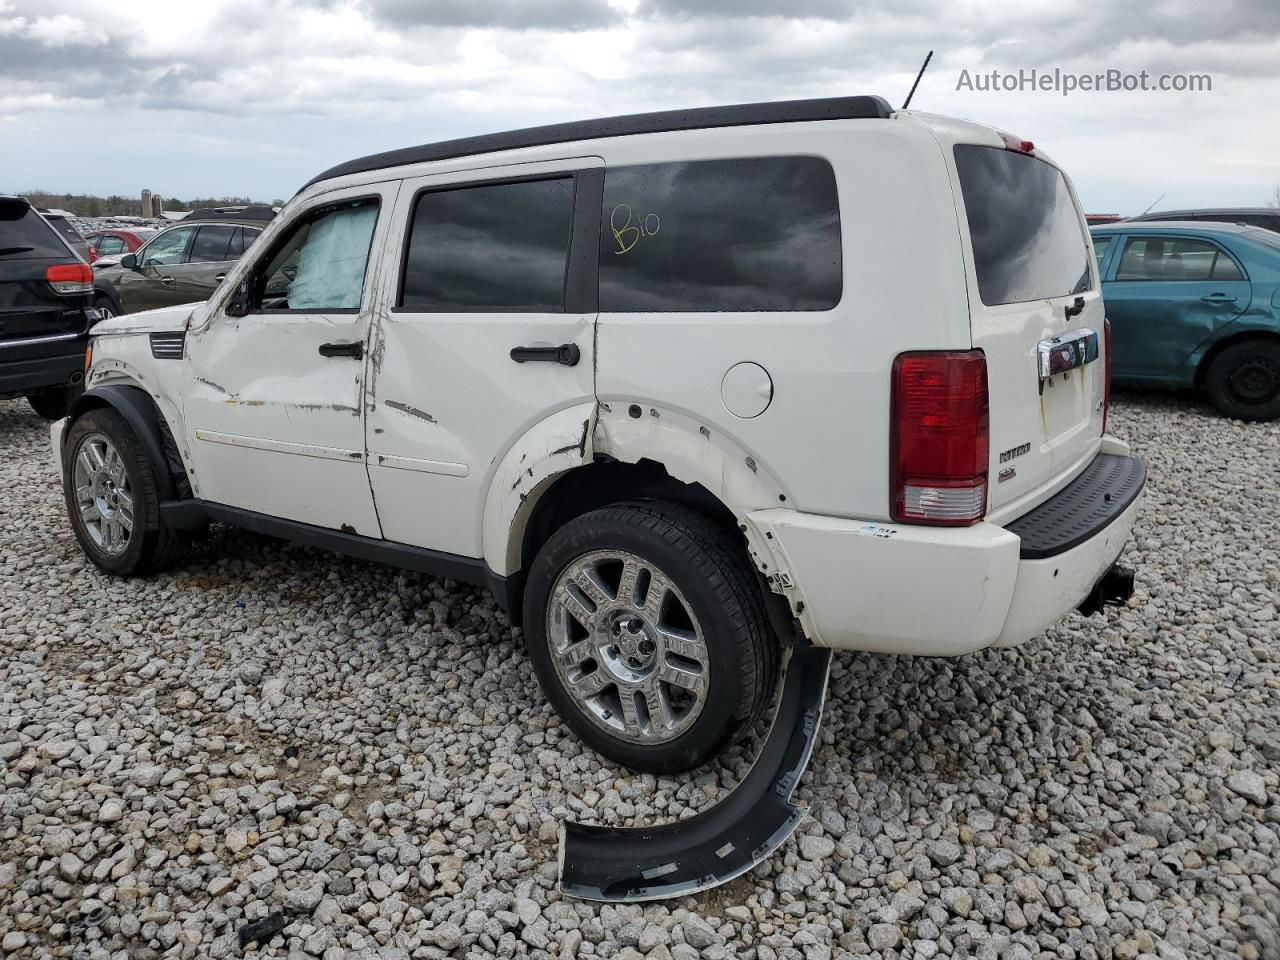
(629, 865)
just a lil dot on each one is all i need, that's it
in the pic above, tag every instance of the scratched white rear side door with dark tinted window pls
(487, 271)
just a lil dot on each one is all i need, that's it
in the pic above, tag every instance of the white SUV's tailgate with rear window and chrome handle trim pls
(1036, 313)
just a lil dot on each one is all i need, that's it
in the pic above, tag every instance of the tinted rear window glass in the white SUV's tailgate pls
(1028, 243)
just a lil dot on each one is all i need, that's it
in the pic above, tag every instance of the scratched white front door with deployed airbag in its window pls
(273, 399)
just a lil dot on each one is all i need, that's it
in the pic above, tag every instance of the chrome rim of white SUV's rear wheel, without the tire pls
(628, 647)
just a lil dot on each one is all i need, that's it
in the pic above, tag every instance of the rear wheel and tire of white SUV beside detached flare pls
(692, 612)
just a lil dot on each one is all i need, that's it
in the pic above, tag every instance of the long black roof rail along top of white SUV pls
(700, 118)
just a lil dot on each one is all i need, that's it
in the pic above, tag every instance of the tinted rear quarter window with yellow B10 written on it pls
(743, 235)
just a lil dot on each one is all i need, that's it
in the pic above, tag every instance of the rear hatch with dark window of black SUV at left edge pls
(29, 307)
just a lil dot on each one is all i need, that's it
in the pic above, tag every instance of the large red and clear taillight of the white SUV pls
(939, 438)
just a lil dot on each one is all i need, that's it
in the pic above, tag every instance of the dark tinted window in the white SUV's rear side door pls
(495, 248)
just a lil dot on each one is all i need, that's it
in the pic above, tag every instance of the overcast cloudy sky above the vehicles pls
(227, 98)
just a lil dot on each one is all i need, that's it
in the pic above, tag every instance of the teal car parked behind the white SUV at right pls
(1195, 305)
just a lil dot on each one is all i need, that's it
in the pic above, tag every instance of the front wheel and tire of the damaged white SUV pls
(103, 470)
